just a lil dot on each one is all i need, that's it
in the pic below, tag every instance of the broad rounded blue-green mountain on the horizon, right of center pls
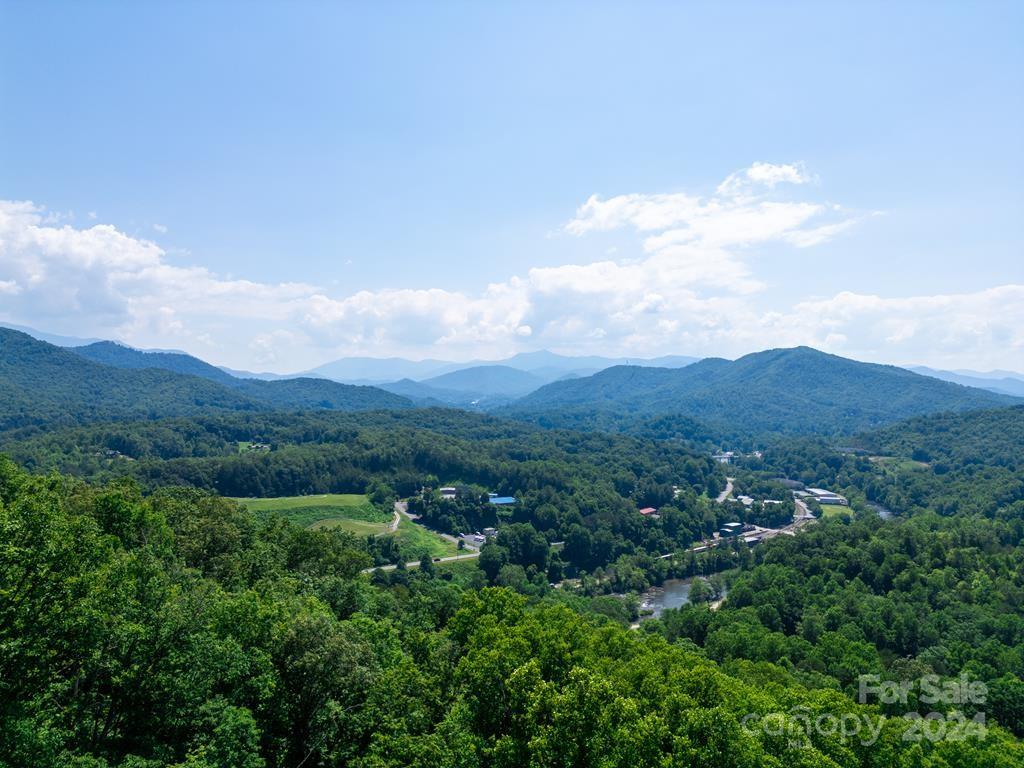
(792, 392)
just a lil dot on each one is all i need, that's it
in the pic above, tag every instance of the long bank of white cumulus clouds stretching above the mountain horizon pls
(690, 292)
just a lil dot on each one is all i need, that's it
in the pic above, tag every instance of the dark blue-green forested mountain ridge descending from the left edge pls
(41, 383)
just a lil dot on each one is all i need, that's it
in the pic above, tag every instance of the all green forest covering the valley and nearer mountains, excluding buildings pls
(150, 621)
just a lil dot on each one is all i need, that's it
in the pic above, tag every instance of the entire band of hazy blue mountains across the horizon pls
(780, 392)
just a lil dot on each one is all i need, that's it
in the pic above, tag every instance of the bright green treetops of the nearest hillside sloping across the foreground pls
(175, 631)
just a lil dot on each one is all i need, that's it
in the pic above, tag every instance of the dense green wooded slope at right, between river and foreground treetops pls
(905, 599)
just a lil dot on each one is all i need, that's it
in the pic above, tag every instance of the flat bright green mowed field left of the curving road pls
(353, 513)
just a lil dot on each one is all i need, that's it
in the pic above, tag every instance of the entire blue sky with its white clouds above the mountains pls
(277, 185)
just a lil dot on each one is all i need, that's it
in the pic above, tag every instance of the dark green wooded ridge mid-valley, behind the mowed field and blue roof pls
(584, 489)
